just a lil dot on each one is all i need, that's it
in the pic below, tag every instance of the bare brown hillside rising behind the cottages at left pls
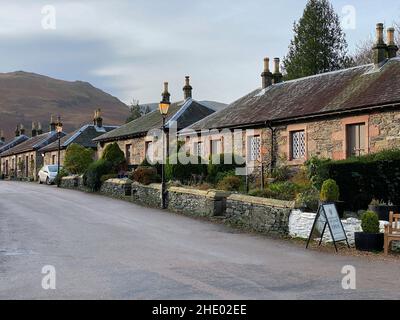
(27, 97)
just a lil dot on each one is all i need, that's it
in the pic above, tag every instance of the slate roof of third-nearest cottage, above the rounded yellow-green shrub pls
(83, 136)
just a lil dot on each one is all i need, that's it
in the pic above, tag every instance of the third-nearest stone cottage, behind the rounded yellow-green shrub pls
(83, 136)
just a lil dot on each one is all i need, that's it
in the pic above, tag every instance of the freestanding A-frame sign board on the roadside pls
(328, 216)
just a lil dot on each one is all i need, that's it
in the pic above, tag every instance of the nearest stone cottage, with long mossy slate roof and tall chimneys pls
(334, 115)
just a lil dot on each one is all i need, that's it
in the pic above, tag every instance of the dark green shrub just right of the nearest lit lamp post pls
(175, 170)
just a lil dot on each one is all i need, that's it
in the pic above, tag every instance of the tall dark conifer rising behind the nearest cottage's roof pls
(319, 44)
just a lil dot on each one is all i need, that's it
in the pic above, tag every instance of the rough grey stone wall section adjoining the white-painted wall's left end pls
(267, 216)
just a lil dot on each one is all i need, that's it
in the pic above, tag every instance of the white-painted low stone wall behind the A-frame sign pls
(300, 224)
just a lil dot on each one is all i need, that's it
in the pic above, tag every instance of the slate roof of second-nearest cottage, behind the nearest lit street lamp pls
(184, 113)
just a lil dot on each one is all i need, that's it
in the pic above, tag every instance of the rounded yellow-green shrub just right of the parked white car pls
(78, 158)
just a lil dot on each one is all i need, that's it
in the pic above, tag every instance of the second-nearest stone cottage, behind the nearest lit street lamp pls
(134, 138)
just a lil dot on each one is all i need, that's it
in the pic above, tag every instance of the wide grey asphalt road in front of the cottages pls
(109, 249)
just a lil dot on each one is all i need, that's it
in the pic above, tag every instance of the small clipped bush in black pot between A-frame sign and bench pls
(371, 239)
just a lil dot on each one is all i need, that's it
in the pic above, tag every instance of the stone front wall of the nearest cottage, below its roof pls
(325, 138)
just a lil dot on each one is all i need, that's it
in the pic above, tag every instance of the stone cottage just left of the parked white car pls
(24, 160)
